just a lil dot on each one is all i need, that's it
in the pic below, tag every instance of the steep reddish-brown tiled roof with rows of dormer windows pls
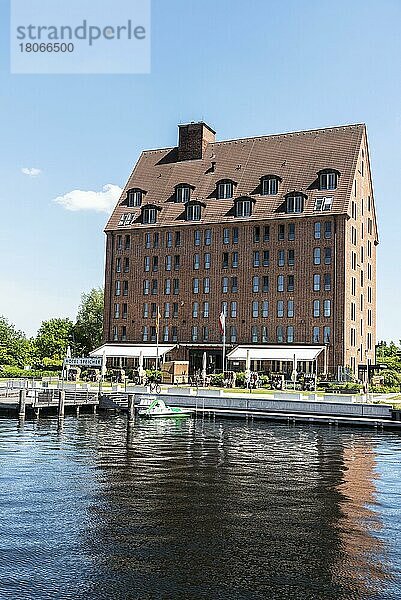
(294, 157)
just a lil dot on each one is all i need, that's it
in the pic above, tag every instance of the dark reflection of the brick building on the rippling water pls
(226, 510)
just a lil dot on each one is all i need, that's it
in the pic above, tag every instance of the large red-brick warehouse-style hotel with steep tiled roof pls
(278, 231)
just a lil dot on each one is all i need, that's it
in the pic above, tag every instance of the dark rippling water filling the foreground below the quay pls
(198, 509)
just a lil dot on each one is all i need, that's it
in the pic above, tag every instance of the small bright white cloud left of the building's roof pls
(103, 201)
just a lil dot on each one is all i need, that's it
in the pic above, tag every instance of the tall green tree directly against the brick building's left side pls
(88, 330)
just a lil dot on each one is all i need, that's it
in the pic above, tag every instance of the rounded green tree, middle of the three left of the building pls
(53, 338)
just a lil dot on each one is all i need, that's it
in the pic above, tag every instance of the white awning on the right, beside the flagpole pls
(284, 353)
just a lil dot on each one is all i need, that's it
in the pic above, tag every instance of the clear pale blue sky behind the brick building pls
(247, 68)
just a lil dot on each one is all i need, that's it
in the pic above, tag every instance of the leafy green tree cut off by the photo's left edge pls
(15, 348)
